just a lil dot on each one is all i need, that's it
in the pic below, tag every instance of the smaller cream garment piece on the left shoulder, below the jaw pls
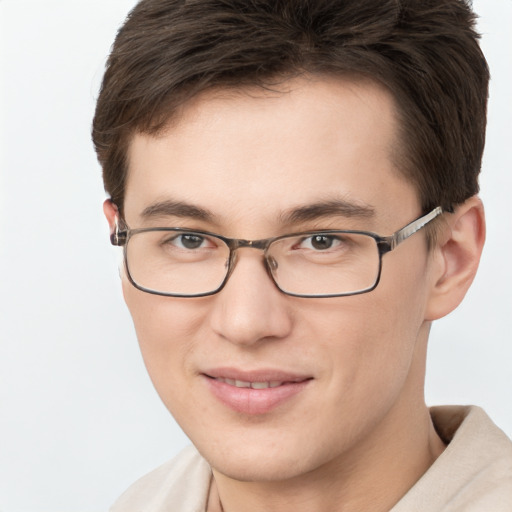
(182, 483)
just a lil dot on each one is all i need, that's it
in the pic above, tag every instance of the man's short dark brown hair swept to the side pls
(425, 52)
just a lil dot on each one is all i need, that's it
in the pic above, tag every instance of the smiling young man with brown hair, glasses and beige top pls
(294, 185)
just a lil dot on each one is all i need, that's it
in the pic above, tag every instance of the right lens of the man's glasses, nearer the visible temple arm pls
(334, 263)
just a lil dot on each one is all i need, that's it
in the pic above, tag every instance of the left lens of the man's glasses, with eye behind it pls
(173, 262)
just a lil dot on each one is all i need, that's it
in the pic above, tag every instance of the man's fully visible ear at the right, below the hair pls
(456, 257)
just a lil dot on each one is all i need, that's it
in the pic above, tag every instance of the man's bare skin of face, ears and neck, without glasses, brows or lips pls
(358, 435)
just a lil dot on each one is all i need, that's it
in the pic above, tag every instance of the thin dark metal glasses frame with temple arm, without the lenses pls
(122, 234)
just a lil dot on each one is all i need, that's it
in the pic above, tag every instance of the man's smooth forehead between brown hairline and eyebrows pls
(258, 152)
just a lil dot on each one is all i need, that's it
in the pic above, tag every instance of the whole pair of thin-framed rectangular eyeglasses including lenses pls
(179, 262)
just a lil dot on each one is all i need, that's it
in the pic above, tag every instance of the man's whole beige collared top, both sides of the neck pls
(473, 474)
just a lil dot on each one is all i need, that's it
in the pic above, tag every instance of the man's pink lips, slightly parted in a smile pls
(248, 400)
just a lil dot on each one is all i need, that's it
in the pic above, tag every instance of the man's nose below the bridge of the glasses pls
(250, 308)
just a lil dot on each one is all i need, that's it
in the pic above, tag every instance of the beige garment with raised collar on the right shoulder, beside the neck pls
(473, 474)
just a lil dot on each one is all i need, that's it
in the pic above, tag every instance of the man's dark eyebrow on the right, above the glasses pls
(330, 208)
